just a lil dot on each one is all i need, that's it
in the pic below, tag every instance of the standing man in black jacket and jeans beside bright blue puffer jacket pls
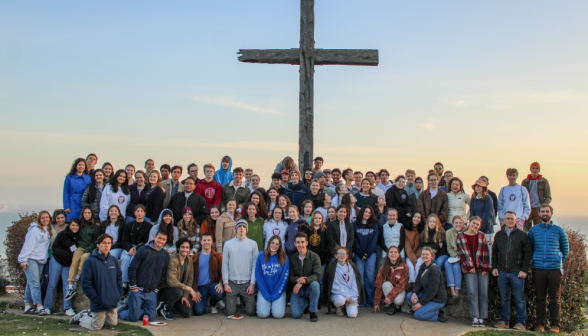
(511, 258)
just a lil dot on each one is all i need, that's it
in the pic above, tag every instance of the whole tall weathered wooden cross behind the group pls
(307, 56)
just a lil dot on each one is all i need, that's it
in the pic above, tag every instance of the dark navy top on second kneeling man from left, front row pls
(147, 271)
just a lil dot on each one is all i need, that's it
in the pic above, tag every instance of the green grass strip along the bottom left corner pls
(12, 325)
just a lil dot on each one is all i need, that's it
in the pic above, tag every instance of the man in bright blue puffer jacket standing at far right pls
(549, 243)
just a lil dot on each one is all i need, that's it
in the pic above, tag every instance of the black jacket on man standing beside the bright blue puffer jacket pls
(511, 253)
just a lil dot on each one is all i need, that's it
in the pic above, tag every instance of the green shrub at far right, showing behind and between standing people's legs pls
(573, 289)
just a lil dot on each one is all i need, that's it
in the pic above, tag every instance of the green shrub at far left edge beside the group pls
(15, 237)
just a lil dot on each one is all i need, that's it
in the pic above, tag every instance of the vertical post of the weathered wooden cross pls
(306, 102)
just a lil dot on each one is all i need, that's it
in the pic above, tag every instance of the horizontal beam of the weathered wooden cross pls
(367, 57)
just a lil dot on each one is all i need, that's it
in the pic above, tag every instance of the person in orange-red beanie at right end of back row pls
(539, 193)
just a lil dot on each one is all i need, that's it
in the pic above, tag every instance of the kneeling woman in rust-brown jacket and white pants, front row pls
(391, 282)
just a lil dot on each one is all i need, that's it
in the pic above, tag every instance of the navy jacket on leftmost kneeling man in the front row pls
(102, 281)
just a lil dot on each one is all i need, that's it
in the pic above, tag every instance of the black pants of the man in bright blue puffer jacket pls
(548, 282)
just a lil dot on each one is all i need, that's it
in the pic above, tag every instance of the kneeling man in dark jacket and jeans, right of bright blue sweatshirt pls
(305, 275)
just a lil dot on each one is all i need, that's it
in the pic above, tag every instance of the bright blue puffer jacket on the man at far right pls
(550, 246)
